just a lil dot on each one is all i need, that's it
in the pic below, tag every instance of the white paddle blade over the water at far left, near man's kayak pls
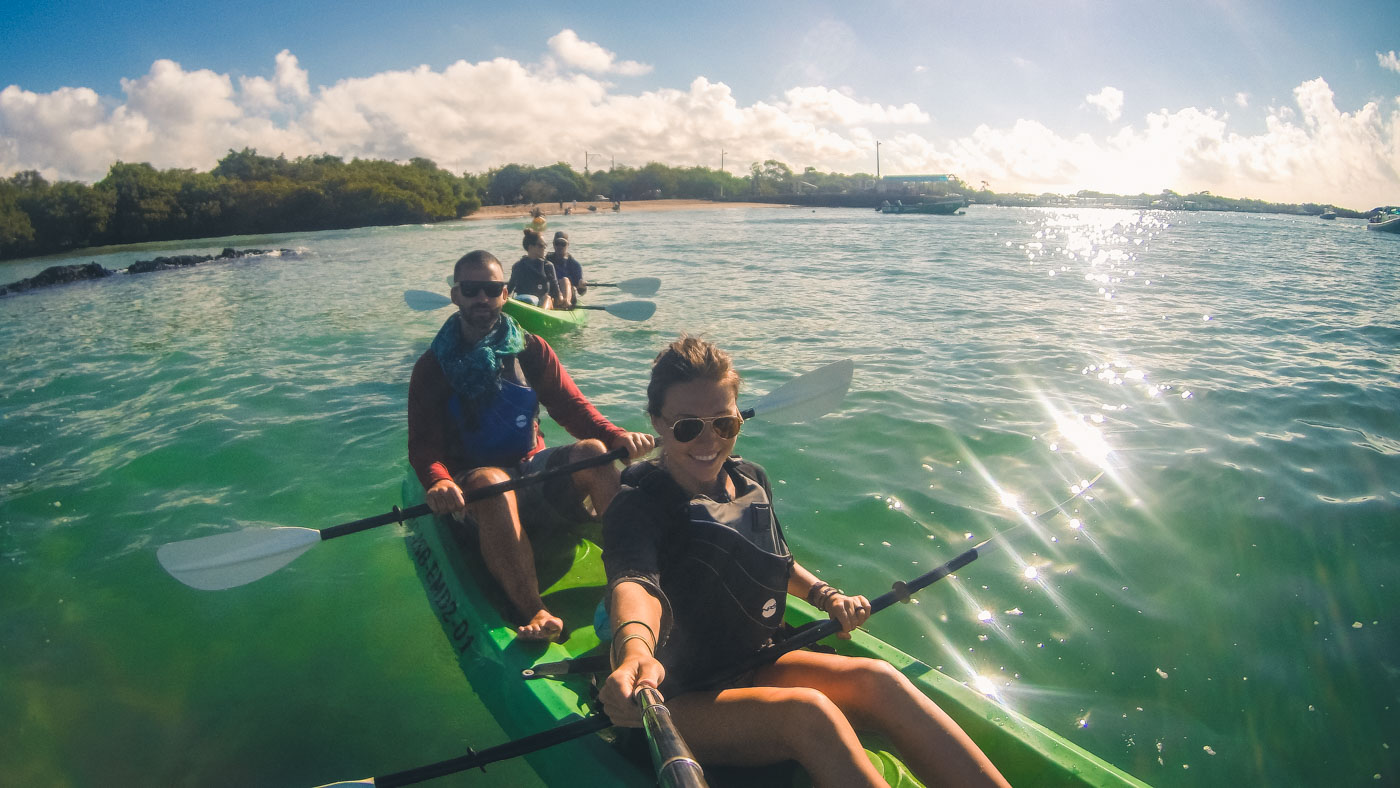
(229, 561)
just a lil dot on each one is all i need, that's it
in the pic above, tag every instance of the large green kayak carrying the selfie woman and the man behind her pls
(496, 667)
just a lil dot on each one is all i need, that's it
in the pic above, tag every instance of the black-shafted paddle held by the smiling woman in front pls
(801, 639)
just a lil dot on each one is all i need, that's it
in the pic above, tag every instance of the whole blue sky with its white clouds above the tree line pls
(1289, 101)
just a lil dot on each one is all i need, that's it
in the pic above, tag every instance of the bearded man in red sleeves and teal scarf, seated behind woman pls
(474, 421)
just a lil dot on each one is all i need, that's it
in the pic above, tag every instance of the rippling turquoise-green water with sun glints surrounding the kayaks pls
(1214, 611)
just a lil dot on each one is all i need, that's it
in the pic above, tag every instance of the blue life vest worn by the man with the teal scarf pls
(503, 433)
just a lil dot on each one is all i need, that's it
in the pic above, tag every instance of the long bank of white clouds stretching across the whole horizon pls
(474, 117)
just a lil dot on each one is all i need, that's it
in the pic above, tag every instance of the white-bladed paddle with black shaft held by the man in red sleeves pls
(229, 561)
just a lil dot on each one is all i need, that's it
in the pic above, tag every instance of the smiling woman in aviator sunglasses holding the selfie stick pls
(699, 575)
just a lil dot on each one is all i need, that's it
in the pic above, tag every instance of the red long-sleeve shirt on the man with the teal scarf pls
(433, 447)
